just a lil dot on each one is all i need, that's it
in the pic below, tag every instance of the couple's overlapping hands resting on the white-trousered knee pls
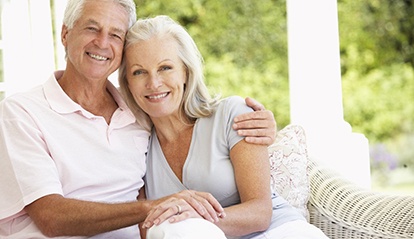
(183, 205)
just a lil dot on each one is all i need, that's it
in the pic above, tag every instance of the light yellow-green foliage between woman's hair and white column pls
(225, 77)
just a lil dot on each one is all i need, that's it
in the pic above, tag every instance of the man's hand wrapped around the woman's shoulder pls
(259, 126)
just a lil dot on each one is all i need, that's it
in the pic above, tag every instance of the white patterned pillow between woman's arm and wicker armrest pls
(289, 167)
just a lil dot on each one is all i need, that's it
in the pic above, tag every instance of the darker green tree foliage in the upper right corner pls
(380, 30)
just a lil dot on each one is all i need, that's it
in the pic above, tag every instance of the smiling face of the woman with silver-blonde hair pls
(156, 76)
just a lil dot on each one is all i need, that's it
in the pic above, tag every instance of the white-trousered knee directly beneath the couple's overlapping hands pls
(192, 228)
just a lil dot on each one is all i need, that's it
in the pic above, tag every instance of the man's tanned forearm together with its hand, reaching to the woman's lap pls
(56, 216)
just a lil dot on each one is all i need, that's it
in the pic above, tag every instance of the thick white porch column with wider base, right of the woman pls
(316, 90)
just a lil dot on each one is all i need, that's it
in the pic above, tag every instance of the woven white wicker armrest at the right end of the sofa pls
(342, 210)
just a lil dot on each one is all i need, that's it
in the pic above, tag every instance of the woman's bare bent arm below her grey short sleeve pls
(252, 172)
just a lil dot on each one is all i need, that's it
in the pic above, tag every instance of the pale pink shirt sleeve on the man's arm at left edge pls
(27, 170)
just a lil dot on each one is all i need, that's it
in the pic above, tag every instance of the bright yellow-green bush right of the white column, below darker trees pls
(380, 103)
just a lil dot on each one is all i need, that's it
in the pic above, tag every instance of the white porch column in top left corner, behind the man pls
(28, 44)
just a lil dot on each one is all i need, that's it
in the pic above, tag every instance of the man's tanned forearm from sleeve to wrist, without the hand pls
(58, 216)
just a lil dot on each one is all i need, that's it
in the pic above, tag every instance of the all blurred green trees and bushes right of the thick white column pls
(377, 66)
